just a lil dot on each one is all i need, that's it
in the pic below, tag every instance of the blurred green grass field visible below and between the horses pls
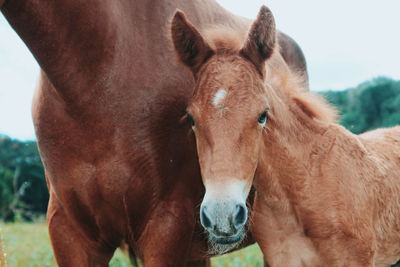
(28, 245)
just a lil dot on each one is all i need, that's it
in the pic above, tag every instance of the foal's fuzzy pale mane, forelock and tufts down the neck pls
(226, 40)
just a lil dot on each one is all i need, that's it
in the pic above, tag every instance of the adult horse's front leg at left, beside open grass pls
(71, 248)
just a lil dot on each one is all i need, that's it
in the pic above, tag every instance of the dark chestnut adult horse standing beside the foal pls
(120, 163)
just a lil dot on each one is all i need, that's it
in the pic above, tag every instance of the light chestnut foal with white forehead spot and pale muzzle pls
(324, 197)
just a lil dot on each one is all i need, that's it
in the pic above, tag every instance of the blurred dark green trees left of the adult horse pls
(23, 191)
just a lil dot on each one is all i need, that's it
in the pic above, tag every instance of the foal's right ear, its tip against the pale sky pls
(261, 40)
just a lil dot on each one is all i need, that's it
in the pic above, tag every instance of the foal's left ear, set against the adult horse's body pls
(190, 46)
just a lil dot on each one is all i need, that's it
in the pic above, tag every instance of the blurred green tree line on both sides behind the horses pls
(23, 191)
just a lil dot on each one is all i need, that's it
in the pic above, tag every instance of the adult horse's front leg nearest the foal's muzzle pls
(166, 240)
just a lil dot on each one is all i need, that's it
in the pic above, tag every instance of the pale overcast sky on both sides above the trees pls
(345, 42)
